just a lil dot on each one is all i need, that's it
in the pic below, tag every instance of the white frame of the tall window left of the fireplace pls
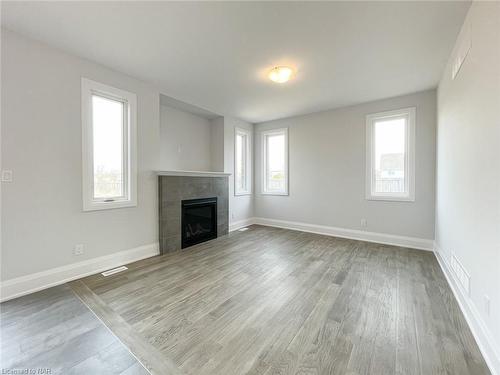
(89, 88)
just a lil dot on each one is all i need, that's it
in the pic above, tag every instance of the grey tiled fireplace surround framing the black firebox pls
(173, 190)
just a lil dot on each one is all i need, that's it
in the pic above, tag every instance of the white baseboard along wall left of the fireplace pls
(23, 285)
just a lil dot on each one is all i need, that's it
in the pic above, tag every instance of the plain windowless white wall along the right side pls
(468, 165)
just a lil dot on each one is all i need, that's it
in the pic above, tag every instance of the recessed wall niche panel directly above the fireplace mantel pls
(185, 140)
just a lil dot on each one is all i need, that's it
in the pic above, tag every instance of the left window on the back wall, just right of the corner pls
(275, 162)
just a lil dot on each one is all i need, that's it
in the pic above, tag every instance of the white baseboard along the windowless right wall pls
(483, 336)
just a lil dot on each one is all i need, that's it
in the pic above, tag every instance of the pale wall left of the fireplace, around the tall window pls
(42, 216)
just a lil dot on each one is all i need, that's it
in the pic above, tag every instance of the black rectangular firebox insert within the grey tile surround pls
(198, 221)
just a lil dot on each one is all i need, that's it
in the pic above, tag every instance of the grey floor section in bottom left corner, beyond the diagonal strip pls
(53, 332)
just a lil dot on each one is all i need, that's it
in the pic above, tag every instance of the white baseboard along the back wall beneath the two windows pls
(383, 238)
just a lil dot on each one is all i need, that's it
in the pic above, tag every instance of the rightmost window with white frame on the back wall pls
(390, 166)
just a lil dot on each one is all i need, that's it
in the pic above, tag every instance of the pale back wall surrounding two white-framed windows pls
(327, 171)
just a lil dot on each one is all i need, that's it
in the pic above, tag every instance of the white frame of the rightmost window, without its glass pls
(371, 119)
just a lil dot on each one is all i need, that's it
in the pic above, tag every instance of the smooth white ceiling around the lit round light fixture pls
(216, 54)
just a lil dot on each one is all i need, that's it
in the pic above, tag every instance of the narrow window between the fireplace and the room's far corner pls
(242, 164)
